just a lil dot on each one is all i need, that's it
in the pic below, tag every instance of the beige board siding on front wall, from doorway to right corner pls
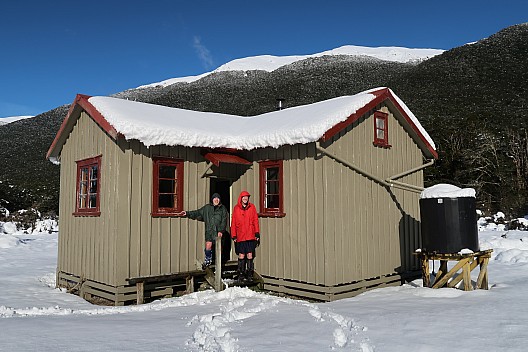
(292, 247)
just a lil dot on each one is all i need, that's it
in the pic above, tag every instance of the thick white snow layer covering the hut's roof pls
(160, 125)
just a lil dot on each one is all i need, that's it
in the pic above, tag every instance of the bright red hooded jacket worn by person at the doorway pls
(244, 222)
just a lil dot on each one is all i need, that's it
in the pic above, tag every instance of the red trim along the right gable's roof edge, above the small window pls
(381, 95)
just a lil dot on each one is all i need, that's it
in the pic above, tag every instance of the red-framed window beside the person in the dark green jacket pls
(167, 195)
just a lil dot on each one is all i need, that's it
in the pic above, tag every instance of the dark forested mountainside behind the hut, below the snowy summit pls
(478, 89)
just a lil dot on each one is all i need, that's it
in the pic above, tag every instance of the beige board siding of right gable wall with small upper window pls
(383, 226)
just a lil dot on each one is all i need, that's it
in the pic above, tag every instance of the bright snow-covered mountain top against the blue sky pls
(270, 63)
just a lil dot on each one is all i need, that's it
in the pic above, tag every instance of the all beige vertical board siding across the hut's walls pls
(339, 227)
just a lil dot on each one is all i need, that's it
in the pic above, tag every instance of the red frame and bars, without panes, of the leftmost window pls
(85, 210)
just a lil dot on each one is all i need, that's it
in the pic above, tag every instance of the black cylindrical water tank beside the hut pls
(449, 224)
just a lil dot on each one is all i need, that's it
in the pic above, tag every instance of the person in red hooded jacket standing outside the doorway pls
(246, 235)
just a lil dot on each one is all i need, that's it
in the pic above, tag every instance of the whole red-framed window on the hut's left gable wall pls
(88, 190)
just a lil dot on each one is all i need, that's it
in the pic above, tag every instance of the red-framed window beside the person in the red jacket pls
(271, 188)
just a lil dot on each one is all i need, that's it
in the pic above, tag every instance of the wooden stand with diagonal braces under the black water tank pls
(465, 262)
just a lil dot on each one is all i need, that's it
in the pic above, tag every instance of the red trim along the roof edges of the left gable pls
(81, 100)
